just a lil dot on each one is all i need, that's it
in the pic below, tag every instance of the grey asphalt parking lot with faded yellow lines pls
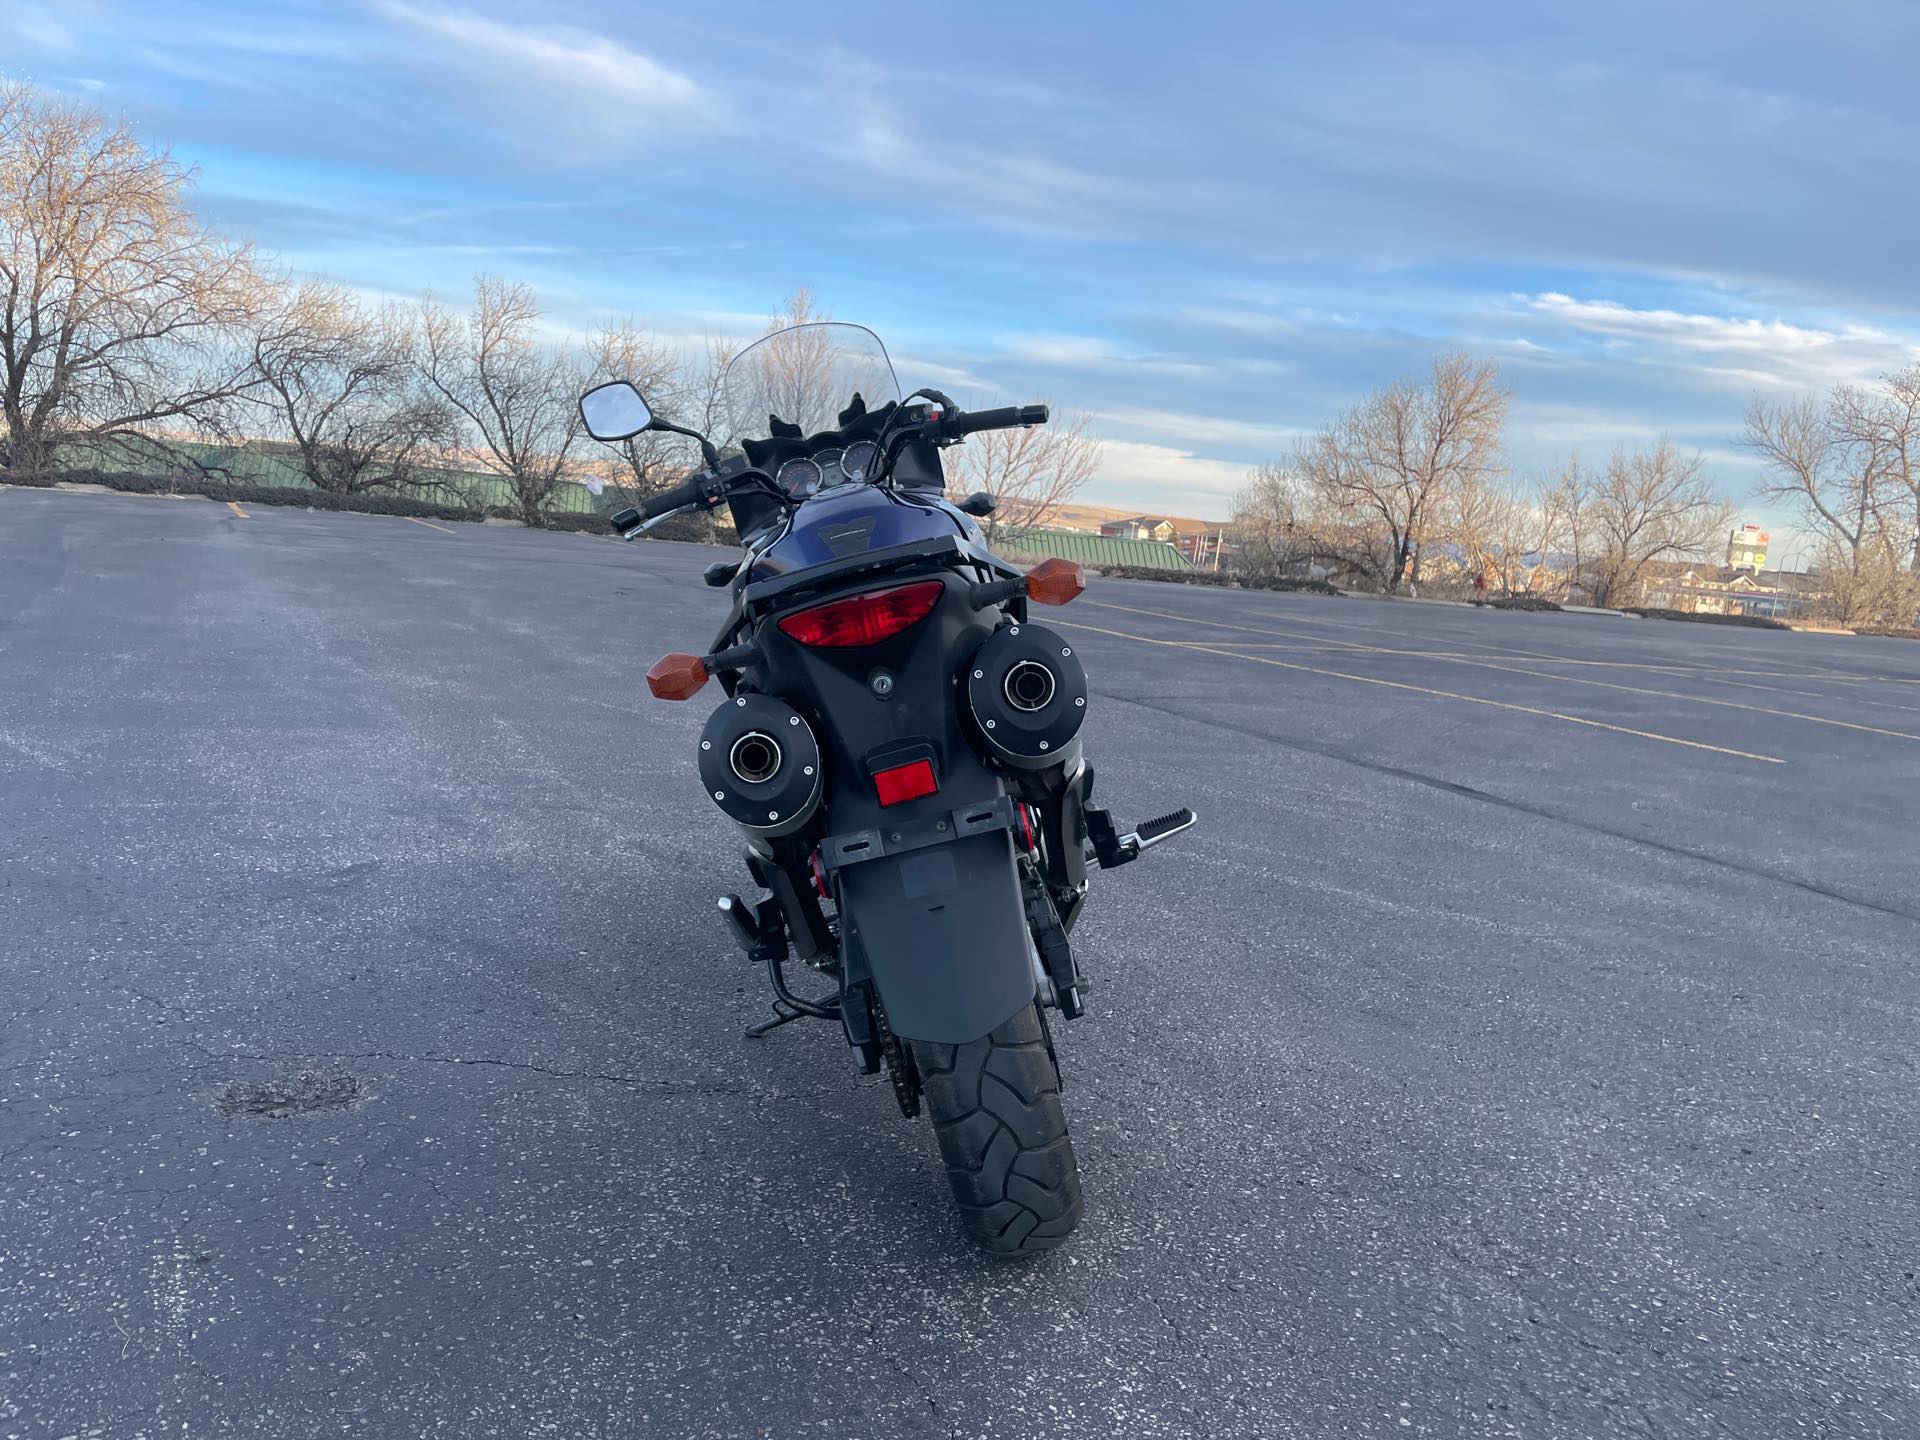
(1524, 1044)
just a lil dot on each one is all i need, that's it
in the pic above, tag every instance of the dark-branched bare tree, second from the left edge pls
(343, 385)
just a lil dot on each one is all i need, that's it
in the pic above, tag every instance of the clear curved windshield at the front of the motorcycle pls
(807, 377)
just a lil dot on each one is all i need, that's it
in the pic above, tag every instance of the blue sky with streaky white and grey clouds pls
(1209, 228)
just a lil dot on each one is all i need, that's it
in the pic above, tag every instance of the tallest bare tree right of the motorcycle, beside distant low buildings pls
(1387, 466)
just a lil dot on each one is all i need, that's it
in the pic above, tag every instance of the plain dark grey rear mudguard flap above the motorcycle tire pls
(944, 934)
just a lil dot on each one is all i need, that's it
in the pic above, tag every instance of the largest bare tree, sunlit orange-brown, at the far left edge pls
(118, 310)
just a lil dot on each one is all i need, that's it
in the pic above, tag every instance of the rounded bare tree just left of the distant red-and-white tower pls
(1648, 506)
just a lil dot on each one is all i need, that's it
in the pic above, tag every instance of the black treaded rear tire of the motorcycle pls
(996, 1109)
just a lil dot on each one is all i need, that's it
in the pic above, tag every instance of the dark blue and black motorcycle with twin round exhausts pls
(901, 748)
